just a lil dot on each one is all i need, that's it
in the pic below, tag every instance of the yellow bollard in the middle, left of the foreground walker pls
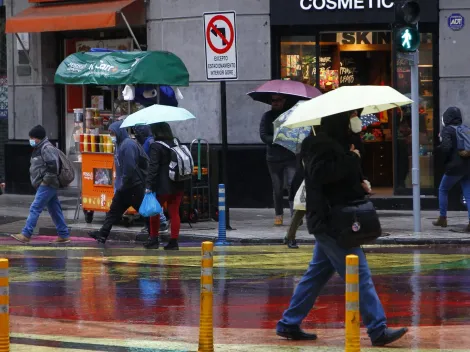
(206, 328)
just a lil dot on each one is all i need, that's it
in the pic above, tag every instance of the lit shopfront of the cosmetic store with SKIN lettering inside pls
(365, 58)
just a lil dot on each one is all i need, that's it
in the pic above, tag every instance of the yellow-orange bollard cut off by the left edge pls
(4, 307)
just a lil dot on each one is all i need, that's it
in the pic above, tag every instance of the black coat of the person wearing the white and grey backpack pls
(158, 177)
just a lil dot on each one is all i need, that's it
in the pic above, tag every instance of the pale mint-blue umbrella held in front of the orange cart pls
(155, 114)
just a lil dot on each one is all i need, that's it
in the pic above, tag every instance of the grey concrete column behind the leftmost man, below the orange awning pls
(32, 94)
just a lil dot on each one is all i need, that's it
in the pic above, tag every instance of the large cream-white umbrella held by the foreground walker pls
(372, 99)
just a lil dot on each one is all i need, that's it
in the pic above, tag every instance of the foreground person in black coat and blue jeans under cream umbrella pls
(332, 179)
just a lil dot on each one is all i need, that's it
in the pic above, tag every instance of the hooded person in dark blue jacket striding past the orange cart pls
(131, 164)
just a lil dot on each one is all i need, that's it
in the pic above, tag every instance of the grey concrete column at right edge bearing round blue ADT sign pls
(454, 58)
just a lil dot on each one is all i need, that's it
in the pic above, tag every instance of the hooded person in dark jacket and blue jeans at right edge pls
(457, 169)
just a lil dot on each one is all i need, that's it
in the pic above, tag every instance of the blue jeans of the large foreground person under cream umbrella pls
(329, 258)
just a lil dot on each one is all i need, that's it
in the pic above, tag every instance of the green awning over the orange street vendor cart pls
(119, 68)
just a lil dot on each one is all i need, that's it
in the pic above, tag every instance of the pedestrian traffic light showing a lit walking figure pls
(407, 15)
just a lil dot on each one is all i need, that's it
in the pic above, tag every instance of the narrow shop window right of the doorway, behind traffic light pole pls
(426, 113)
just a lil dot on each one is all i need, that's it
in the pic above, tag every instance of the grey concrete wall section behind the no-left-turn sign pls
(177, 26)
